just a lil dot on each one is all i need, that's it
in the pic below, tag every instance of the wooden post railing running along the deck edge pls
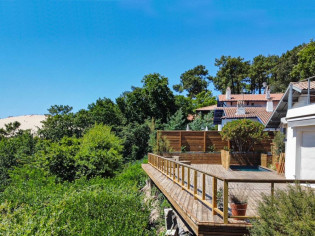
(176, 172)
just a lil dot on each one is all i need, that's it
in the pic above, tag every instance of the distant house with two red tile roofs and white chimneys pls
(257, 107)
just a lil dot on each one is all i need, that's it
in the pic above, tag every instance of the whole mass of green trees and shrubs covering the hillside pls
(76, 177)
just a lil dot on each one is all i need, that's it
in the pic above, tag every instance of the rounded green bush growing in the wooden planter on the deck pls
(244, 134)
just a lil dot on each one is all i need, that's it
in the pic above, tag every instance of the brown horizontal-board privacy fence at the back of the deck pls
(203, 141)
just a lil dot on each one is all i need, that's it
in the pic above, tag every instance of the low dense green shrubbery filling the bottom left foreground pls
(34, 204)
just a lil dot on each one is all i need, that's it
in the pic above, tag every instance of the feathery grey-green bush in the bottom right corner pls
(288, 213)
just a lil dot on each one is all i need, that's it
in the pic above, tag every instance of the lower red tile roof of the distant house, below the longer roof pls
(250, 112)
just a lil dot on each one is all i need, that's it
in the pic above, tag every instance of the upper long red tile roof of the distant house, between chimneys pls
(250, 97)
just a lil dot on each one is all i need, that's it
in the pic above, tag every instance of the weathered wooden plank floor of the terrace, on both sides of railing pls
(197, 212)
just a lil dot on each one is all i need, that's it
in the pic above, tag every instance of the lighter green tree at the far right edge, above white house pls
(305, 67)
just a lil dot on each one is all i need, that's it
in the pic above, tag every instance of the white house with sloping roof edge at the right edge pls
(295, 115)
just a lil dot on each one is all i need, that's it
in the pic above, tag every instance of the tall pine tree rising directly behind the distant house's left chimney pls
(233, 72)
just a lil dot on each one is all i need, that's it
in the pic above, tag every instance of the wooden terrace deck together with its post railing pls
(200, 193)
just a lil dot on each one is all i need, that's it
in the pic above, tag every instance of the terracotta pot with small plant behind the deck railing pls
(238, 202)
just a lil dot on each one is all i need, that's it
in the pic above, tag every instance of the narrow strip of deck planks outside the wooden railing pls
(198, 216)
